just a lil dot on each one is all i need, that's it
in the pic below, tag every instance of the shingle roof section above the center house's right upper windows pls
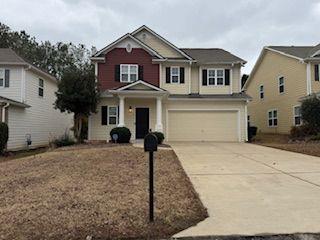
(212, 55)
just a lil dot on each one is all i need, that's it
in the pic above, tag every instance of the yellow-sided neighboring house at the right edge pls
(281, 77)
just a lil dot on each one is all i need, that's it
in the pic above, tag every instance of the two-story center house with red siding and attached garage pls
(148, 84)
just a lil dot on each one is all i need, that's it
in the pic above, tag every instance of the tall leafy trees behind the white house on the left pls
(52, 58)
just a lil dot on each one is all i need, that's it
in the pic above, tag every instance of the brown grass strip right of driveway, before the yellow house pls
(282, 142)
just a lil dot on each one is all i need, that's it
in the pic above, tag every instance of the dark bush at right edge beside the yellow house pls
(310, 113)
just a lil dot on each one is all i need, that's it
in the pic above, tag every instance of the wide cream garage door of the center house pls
(206, 125)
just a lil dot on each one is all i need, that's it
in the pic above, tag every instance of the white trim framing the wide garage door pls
(205, 110)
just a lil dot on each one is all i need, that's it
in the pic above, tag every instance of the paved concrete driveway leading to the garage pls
(250, 189)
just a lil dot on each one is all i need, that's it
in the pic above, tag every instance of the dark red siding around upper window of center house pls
(118, 56)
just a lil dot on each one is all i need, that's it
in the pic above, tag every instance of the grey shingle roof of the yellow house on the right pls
(297, 51)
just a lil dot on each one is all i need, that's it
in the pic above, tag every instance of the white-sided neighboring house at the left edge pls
(27, 95)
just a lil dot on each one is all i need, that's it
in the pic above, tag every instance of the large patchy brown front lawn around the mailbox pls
(100, 192)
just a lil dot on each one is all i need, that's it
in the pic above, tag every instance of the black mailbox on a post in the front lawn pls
(151, 145)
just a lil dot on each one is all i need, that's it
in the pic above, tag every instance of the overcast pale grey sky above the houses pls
(242, 27)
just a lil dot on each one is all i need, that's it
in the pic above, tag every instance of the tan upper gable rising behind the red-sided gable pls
(160, 44)
